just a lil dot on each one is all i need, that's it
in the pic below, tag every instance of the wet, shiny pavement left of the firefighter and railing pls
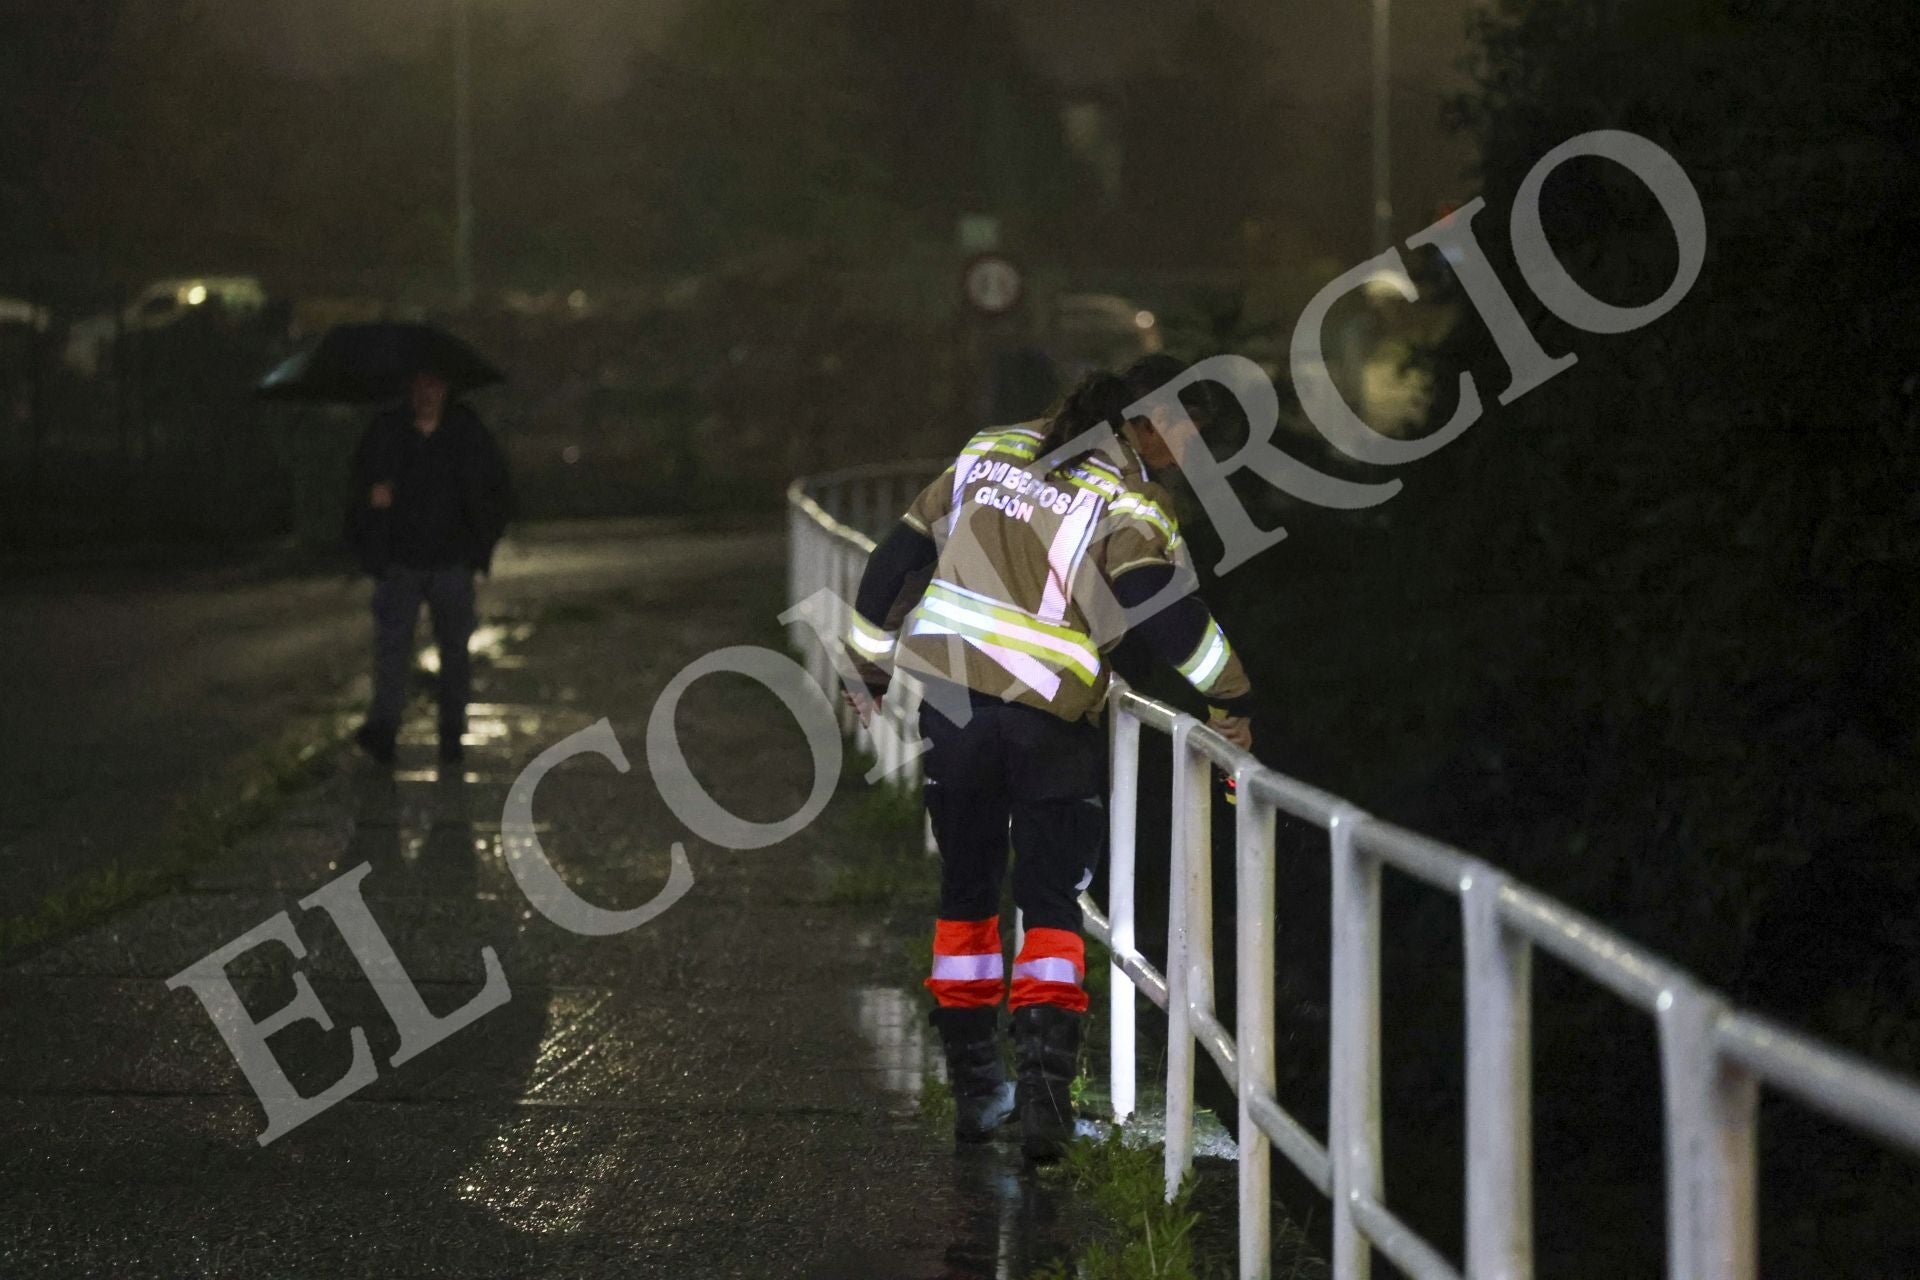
(732, 1089)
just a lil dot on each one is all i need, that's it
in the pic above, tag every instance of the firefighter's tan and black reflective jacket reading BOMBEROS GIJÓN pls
(1030, 582)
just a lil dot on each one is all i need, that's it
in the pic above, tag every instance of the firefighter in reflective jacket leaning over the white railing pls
(1001, 590)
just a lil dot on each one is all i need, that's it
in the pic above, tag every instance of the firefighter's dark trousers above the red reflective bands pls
(1026, 774)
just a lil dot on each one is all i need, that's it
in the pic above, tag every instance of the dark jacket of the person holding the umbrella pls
(479, 471)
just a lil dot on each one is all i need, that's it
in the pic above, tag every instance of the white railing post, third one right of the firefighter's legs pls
(1253, 1026)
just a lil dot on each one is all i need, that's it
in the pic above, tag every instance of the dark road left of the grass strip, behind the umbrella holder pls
(141, 682)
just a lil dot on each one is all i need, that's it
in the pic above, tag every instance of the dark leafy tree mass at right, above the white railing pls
(1729, 492)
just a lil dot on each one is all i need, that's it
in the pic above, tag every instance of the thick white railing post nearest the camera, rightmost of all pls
(1712, 1162)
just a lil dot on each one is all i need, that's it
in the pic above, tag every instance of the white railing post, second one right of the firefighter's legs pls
(1189, 836)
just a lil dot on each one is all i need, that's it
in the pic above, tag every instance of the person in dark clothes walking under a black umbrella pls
(427, 508)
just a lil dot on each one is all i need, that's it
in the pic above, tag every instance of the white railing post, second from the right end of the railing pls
(1500, 1143)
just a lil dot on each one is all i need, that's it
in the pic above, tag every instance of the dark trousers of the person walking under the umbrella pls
(396, 613)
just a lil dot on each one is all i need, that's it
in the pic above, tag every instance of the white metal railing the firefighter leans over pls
(1714, 1056)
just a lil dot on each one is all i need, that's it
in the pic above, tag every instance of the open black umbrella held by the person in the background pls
(366, 364)
